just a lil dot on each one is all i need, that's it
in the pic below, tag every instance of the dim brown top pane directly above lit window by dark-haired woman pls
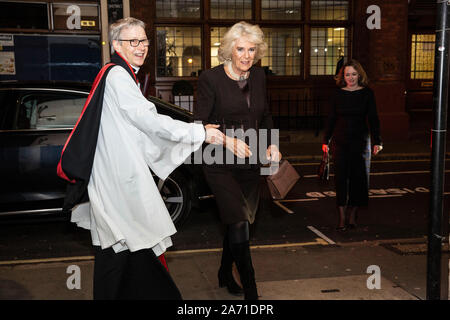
(329, 9)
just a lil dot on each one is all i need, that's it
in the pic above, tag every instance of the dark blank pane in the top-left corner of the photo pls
(23, 15)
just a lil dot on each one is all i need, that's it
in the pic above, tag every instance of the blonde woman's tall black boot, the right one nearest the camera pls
(243, 259)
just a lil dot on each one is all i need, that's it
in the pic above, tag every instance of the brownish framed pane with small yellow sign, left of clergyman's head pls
(75, 17)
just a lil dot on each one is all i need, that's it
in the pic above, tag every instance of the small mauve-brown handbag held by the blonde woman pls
(282, 181)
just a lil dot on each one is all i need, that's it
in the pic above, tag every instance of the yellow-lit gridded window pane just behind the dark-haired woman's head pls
(328, 45)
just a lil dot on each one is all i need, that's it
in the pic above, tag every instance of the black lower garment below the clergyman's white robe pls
(129, 275)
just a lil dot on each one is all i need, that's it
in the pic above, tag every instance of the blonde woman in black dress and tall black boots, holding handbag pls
(233, 95)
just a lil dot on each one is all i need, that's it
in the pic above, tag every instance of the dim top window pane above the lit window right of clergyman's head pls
(178, 8)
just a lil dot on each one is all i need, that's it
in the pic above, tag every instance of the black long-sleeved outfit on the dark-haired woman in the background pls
(352, 114)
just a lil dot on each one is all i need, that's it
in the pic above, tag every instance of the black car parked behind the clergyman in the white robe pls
(35, 121)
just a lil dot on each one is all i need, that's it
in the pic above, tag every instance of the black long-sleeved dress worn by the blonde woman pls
(220, 100)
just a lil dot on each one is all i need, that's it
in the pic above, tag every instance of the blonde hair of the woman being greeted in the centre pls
(253, 33)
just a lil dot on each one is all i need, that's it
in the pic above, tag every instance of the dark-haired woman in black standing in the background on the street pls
(353, 111)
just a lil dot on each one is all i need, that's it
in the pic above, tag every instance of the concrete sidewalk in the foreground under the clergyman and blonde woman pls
(314, 271)
